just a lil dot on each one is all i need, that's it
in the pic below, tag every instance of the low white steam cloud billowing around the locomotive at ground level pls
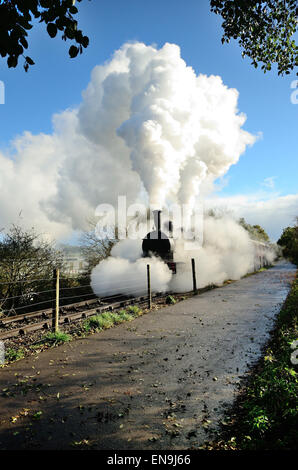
(227, 253)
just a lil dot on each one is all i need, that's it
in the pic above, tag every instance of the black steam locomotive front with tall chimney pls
(157, 243)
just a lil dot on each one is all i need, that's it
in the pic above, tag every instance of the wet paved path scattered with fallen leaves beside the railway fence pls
(161, 381)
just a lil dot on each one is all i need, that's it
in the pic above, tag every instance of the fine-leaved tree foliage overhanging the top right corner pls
(264, 30)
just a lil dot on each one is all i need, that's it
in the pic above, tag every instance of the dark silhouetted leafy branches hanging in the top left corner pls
(16, 20)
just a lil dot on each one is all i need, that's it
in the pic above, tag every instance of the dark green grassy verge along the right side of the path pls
(265, 416)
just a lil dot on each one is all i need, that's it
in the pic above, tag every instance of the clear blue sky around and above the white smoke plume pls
(267, 170)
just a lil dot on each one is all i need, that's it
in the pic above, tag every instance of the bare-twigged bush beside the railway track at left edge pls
(26, 266)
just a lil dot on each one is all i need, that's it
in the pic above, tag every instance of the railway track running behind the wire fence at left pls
(43, 319)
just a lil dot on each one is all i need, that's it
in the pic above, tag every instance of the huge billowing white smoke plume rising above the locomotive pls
(146, 122)
